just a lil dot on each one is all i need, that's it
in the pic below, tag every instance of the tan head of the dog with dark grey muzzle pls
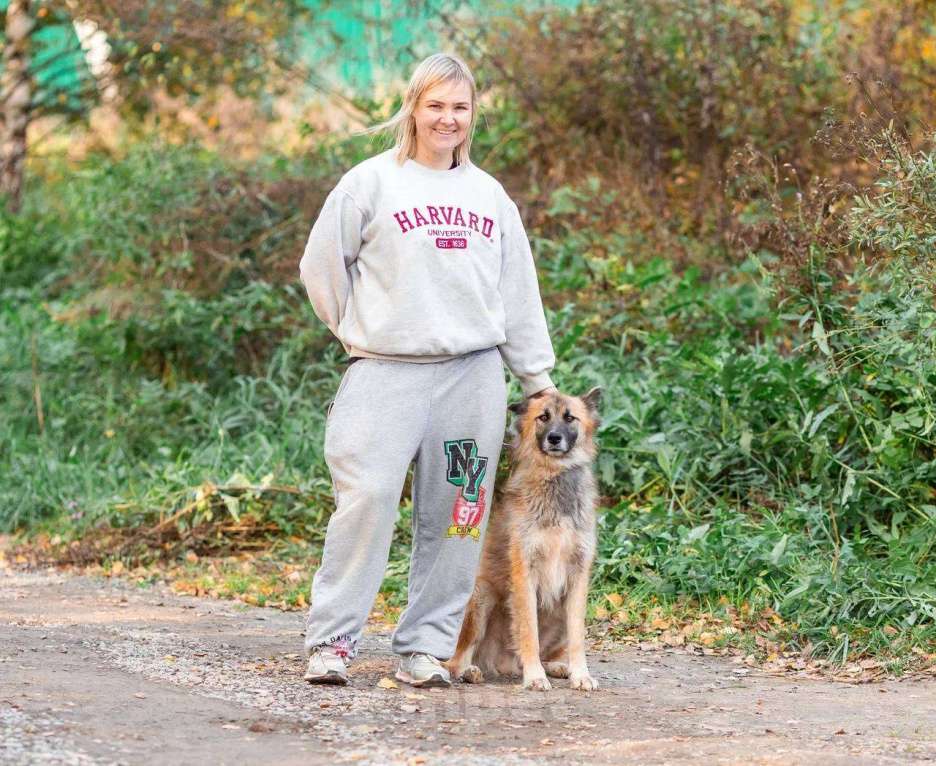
(558, 425)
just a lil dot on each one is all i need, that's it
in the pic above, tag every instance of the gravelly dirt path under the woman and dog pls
(97, 671)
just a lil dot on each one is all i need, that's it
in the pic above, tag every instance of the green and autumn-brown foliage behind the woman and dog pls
(732, 209)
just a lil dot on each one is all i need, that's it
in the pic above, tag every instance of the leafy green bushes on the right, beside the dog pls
(785, 457)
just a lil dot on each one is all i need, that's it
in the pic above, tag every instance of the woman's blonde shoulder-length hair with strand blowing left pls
(437, 68)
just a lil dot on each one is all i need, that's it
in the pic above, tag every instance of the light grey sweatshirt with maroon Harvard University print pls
(422, 265)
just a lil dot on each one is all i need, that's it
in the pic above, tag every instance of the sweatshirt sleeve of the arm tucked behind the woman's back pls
(332, 247)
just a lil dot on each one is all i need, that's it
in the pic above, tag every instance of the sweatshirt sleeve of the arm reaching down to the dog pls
(527, 351)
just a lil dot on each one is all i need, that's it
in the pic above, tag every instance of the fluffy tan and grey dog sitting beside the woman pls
(527, 611)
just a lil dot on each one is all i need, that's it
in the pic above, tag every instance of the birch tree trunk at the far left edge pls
(15, 97)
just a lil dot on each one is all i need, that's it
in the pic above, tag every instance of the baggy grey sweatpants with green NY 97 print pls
(447, 416)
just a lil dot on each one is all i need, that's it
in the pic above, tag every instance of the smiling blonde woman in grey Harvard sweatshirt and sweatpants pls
(419, 264)
